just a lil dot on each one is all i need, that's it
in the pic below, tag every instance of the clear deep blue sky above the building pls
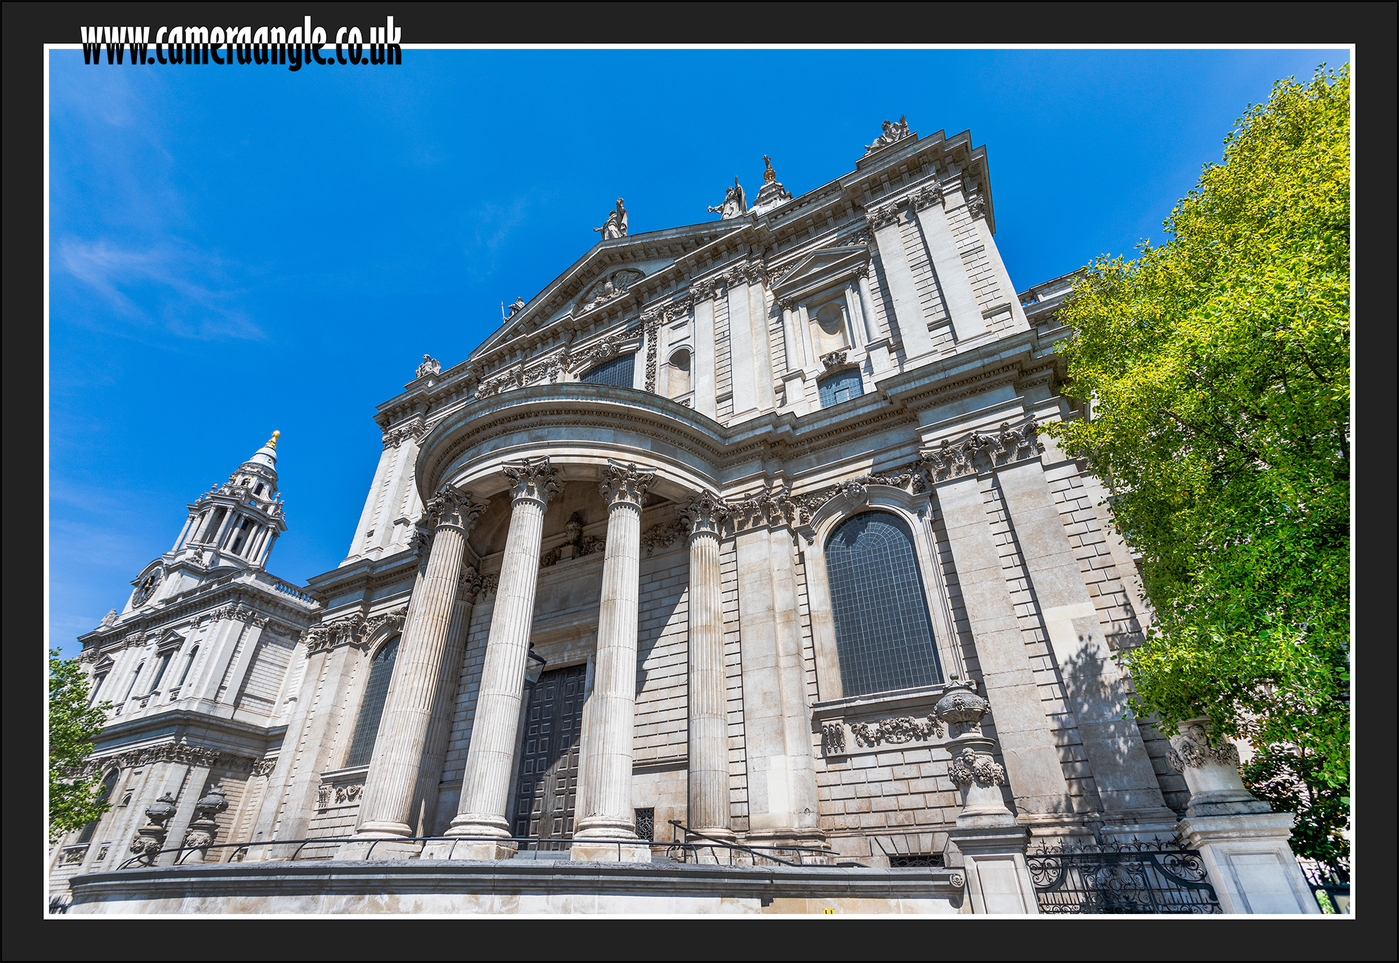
(239, 250)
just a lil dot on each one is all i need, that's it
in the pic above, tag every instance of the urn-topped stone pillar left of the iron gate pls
(991, 841)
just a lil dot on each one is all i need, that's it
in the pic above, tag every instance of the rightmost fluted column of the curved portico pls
(709, 807)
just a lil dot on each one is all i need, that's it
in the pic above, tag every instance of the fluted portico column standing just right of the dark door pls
(606, 778)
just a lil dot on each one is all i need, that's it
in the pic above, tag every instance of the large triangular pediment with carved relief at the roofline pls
(605, 276)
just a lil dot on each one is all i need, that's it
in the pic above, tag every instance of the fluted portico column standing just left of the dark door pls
(492, 755)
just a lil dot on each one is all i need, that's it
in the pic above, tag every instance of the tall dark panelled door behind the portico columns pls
(548, 789)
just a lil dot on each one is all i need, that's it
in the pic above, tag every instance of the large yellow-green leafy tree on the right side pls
(1219, 373)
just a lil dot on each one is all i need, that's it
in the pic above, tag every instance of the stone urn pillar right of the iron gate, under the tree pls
(1243, 842)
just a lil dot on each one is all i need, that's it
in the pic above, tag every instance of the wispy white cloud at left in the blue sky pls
(167, 285)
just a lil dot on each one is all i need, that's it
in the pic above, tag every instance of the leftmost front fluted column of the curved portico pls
(408, 712)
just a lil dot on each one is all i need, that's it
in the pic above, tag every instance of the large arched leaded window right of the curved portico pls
(883, 632)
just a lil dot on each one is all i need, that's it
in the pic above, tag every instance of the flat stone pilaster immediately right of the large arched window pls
(1037, 780)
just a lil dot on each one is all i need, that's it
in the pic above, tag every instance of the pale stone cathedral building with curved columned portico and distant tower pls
(714, 540)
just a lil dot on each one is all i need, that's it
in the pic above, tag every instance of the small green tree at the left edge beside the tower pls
(73, 801)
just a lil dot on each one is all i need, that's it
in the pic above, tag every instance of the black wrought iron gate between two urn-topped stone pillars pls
(1139, 877)
